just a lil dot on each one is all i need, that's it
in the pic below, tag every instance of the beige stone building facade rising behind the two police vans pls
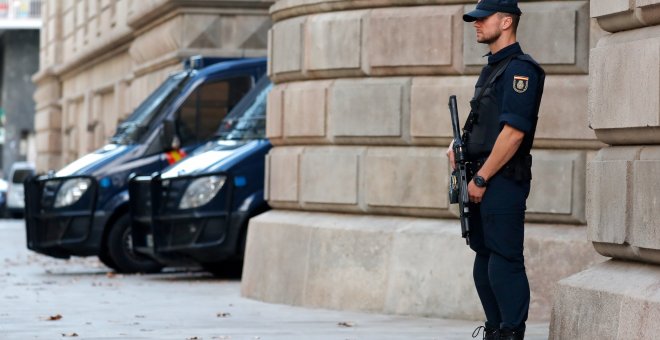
(100, 58)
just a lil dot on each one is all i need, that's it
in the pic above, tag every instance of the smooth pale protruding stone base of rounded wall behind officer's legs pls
(393, 265)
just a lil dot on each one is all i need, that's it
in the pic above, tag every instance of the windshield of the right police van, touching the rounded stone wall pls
(247, 121)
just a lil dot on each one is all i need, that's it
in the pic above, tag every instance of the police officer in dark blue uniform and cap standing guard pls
(499, 133)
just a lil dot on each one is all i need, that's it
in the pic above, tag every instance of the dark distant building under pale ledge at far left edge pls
(20, 60)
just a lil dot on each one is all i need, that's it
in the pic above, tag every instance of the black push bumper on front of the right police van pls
(207, 233)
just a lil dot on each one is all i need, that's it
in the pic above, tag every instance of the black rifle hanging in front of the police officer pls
(458, 179)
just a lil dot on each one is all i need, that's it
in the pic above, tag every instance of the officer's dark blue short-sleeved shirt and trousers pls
(511, 98)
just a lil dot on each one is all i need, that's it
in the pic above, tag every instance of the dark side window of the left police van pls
(201, 113)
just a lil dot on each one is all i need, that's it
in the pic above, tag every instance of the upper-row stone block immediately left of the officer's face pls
(414, 36)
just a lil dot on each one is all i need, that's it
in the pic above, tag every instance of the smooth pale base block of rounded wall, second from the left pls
(338, 281)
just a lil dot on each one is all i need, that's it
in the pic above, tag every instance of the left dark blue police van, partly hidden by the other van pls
(83, 210)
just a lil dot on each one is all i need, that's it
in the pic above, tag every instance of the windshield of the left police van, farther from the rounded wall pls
(131, 130)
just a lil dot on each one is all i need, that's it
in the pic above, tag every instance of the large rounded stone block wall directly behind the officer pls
(358, 177)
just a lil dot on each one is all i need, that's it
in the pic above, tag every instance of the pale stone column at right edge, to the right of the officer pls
(618, 299)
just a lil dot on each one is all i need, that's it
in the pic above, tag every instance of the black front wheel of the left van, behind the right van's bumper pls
(120, 250)
